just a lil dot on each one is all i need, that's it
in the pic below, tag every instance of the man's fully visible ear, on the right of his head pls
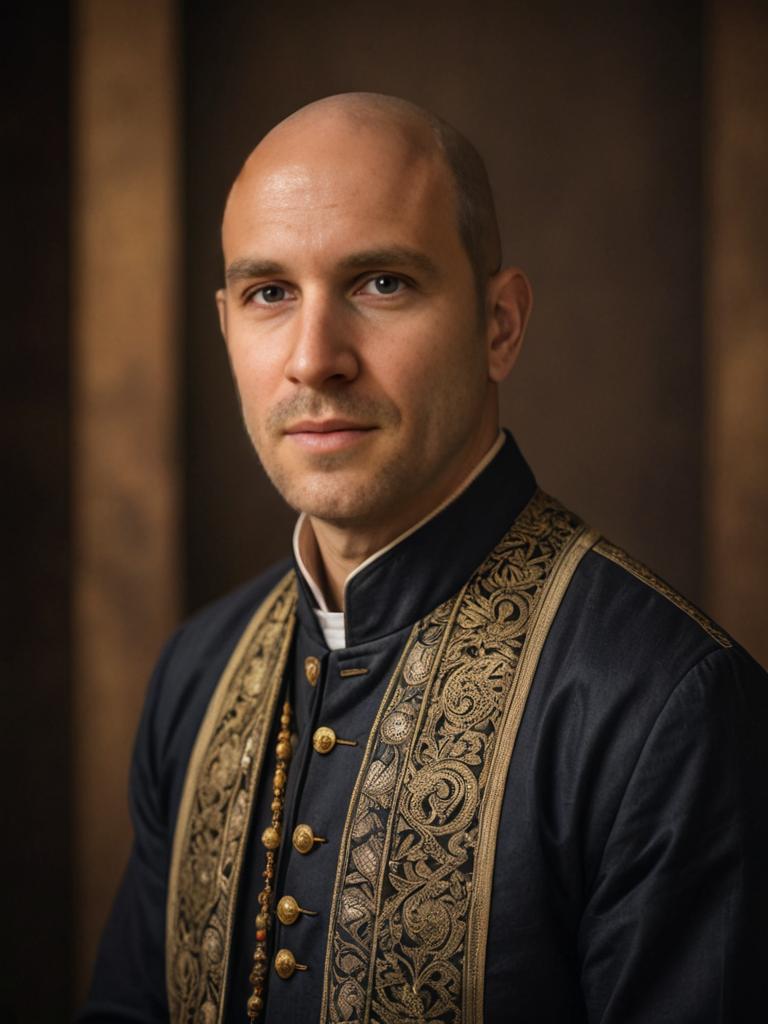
(509, 304)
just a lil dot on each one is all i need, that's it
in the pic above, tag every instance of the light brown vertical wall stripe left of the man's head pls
(125, 405)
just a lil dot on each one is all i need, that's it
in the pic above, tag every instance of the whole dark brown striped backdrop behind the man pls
(628, 148)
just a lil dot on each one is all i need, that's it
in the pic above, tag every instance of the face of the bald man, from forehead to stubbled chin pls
(351, 318)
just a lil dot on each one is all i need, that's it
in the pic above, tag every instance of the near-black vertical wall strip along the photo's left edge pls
(35, 598)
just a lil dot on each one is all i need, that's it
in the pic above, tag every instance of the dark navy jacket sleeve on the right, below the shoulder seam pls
(675, 926)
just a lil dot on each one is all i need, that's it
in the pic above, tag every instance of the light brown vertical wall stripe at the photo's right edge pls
(738, 318)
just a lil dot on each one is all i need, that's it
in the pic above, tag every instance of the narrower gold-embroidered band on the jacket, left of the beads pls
(212, 827)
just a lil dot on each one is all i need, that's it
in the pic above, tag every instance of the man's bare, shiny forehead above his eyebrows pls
(323, 189)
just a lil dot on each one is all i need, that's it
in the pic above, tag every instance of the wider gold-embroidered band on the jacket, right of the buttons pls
(407, 887)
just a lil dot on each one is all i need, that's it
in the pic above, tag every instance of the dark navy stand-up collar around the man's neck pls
(430, 566)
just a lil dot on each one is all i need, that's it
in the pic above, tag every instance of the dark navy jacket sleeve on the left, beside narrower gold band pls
(129, 982)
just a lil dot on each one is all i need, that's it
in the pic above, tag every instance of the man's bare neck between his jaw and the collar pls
(332, 552)
